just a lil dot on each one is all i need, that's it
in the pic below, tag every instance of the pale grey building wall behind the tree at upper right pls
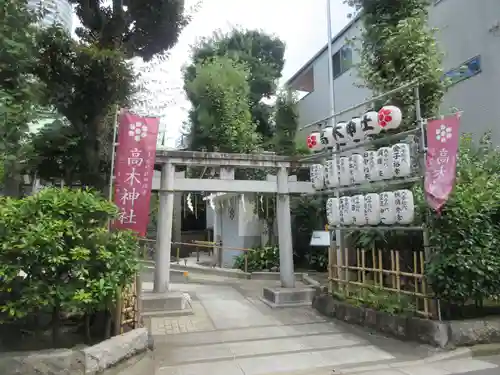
(466, 30)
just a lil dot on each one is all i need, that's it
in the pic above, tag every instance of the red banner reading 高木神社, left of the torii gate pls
(134, 169)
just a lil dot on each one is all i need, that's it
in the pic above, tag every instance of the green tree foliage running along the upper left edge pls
(19, 93)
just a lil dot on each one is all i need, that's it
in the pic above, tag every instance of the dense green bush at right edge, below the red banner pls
(466, 235)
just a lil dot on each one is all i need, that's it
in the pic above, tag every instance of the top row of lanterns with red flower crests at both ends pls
(357, 130)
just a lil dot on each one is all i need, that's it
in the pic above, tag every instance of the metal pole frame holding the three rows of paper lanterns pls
(417, 176)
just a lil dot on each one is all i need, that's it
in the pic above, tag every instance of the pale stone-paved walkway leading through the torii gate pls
(233, 333)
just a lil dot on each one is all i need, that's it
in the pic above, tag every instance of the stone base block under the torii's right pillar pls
(288, 297)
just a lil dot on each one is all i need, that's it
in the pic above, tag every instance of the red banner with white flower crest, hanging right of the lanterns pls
(443, 138)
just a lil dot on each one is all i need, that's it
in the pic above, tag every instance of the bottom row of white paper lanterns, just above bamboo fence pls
(386, 208)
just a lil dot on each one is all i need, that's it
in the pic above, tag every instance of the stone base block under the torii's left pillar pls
(159, 303)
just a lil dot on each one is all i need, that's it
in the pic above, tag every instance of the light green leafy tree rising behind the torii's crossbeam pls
(221, 119)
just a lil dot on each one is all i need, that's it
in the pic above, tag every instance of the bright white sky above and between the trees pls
(301, 24)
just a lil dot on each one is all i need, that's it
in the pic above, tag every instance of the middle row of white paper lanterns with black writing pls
(383, 164)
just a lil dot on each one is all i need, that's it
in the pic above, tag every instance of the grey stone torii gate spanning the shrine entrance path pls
(170, 184)
